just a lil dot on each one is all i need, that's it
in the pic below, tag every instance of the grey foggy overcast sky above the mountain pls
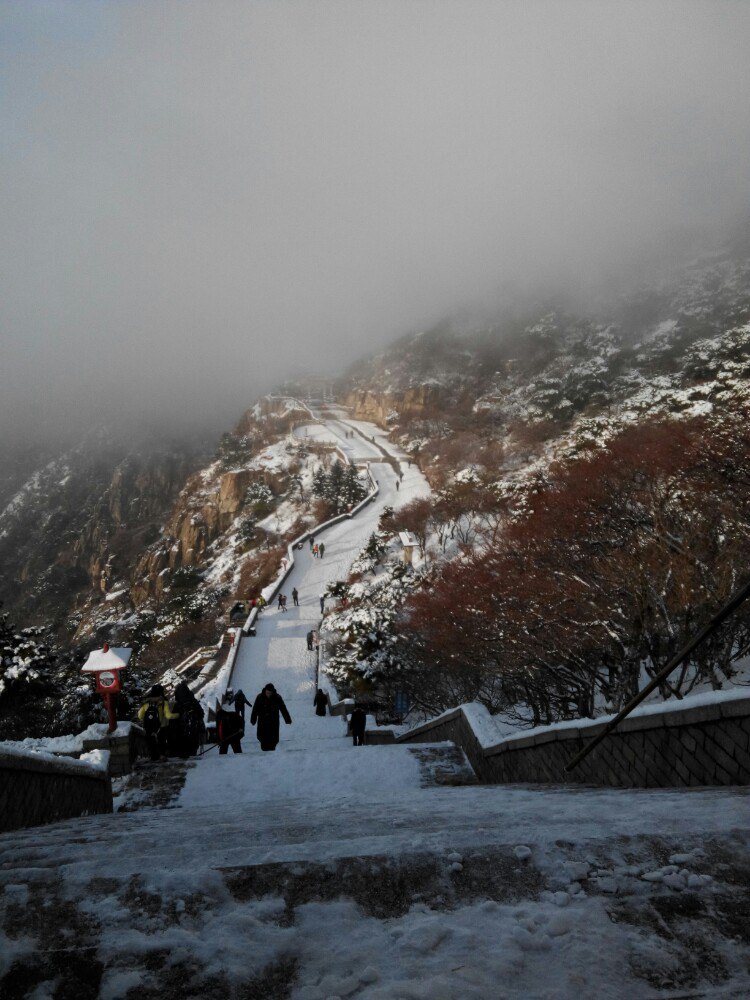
(199, 199)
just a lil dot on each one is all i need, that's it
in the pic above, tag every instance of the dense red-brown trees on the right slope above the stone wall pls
(623, 555)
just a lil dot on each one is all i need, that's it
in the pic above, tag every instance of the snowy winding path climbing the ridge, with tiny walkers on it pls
(278, 652)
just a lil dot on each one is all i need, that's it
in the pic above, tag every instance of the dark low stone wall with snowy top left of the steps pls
(36, 790)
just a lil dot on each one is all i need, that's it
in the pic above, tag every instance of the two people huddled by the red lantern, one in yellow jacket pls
(176, 730)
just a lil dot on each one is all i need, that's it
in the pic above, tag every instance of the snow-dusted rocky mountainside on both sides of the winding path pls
(149, 546)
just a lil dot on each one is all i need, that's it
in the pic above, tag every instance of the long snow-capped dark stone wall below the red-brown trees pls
(703, 745)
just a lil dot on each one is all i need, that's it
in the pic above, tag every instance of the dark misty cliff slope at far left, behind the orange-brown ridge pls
(81, 521)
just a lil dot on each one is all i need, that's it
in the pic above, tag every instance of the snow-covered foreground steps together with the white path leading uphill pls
(325, 871)
